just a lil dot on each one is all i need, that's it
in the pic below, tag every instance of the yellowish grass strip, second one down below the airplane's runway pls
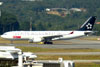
(68, 57)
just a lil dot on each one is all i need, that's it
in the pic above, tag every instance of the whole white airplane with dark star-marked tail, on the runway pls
(48, 36)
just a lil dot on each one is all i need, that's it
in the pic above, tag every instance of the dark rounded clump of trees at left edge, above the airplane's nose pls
(8, 22)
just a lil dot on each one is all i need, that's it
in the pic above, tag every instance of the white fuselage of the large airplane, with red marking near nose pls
(37, 35)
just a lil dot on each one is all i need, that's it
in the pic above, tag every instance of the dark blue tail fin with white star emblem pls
(89, 24)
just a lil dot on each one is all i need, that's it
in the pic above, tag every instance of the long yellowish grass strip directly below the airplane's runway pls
(38, 49)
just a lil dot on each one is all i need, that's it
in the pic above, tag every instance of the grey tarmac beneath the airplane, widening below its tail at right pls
(70, 44)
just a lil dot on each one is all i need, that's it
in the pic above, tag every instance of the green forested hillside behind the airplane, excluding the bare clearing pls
(16, 15)
